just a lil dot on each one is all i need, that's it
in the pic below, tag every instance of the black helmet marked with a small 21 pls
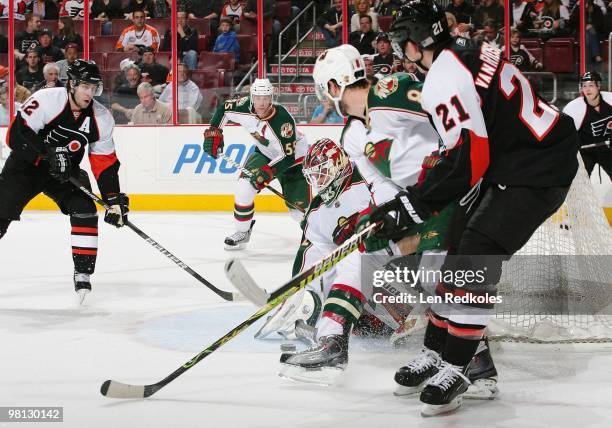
(423, 22)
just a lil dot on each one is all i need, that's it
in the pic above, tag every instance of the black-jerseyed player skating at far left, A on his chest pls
(48, 139)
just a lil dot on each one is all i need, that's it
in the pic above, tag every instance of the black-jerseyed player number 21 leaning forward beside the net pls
(511, 158)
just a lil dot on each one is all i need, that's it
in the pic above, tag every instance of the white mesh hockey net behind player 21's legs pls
(558, 287)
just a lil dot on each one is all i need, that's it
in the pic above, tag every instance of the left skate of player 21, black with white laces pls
(413, 376)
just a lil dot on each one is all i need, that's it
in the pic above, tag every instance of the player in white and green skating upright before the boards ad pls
(278, 153)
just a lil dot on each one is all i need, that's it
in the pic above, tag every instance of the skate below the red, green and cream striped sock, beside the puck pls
(320, 365)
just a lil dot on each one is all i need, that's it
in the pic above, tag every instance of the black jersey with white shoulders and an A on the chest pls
(46, 120)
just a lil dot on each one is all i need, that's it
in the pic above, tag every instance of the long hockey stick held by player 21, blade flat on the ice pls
(114, 389)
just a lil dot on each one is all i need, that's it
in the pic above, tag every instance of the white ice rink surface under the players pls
(146, 317)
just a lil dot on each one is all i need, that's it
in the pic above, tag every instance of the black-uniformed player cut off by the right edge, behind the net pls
(592, 114)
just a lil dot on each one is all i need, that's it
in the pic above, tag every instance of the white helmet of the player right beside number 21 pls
(342, 64)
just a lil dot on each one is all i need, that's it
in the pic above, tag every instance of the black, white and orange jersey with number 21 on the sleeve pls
(492, 125)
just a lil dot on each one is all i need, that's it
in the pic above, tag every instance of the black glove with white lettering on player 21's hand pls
(400, 215)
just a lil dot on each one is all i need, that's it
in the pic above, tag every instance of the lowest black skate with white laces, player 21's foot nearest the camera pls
(443, 392)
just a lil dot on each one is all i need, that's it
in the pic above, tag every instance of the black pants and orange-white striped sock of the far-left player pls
(20, 182)
